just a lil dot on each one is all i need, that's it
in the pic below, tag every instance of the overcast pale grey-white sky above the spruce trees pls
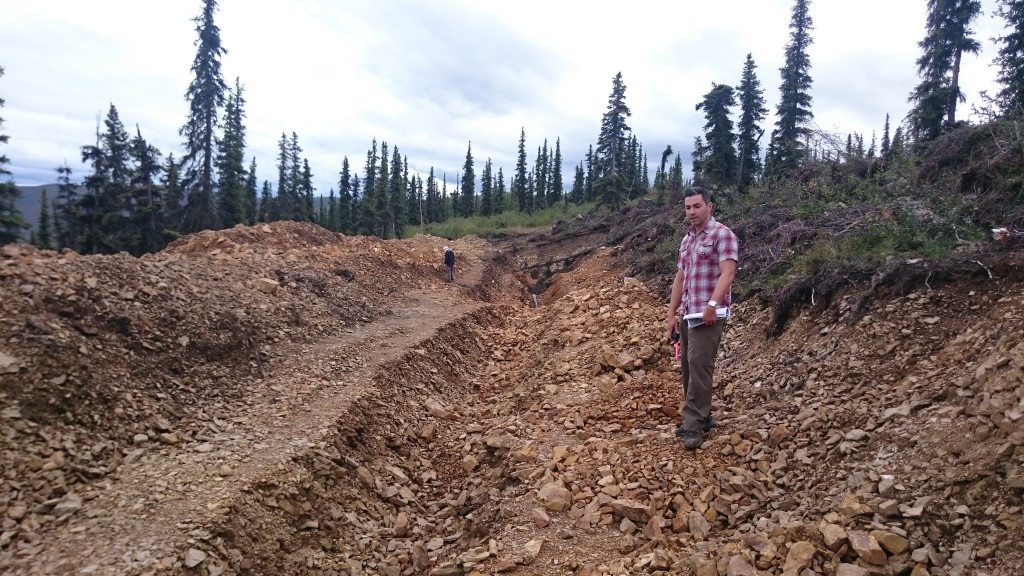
(432, 76)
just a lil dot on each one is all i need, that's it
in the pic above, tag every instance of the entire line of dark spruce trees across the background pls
(136, 199)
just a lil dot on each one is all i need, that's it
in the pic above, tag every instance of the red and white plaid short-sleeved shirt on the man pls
(700, 256)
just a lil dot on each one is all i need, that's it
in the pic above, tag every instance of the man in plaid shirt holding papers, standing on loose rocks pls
(706, 268)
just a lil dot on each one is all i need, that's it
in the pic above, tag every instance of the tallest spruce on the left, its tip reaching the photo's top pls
(205, 97)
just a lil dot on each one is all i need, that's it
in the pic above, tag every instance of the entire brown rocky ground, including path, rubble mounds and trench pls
(282, 400)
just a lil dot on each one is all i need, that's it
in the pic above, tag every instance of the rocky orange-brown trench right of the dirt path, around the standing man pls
(541, 442)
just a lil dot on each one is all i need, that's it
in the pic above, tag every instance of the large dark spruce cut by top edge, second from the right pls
(948, 36)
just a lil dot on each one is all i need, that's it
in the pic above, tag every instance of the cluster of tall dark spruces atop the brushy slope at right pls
(728, 155)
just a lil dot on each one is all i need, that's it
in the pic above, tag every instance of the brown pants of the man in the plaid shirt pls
(701, 345)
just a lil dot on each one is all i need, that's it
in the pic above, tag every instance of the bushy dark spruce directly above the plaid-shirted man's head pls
(719, 164)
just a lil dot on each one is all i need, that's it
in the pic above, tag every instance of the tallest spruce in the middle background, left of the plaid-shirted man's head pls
(612, 147)
